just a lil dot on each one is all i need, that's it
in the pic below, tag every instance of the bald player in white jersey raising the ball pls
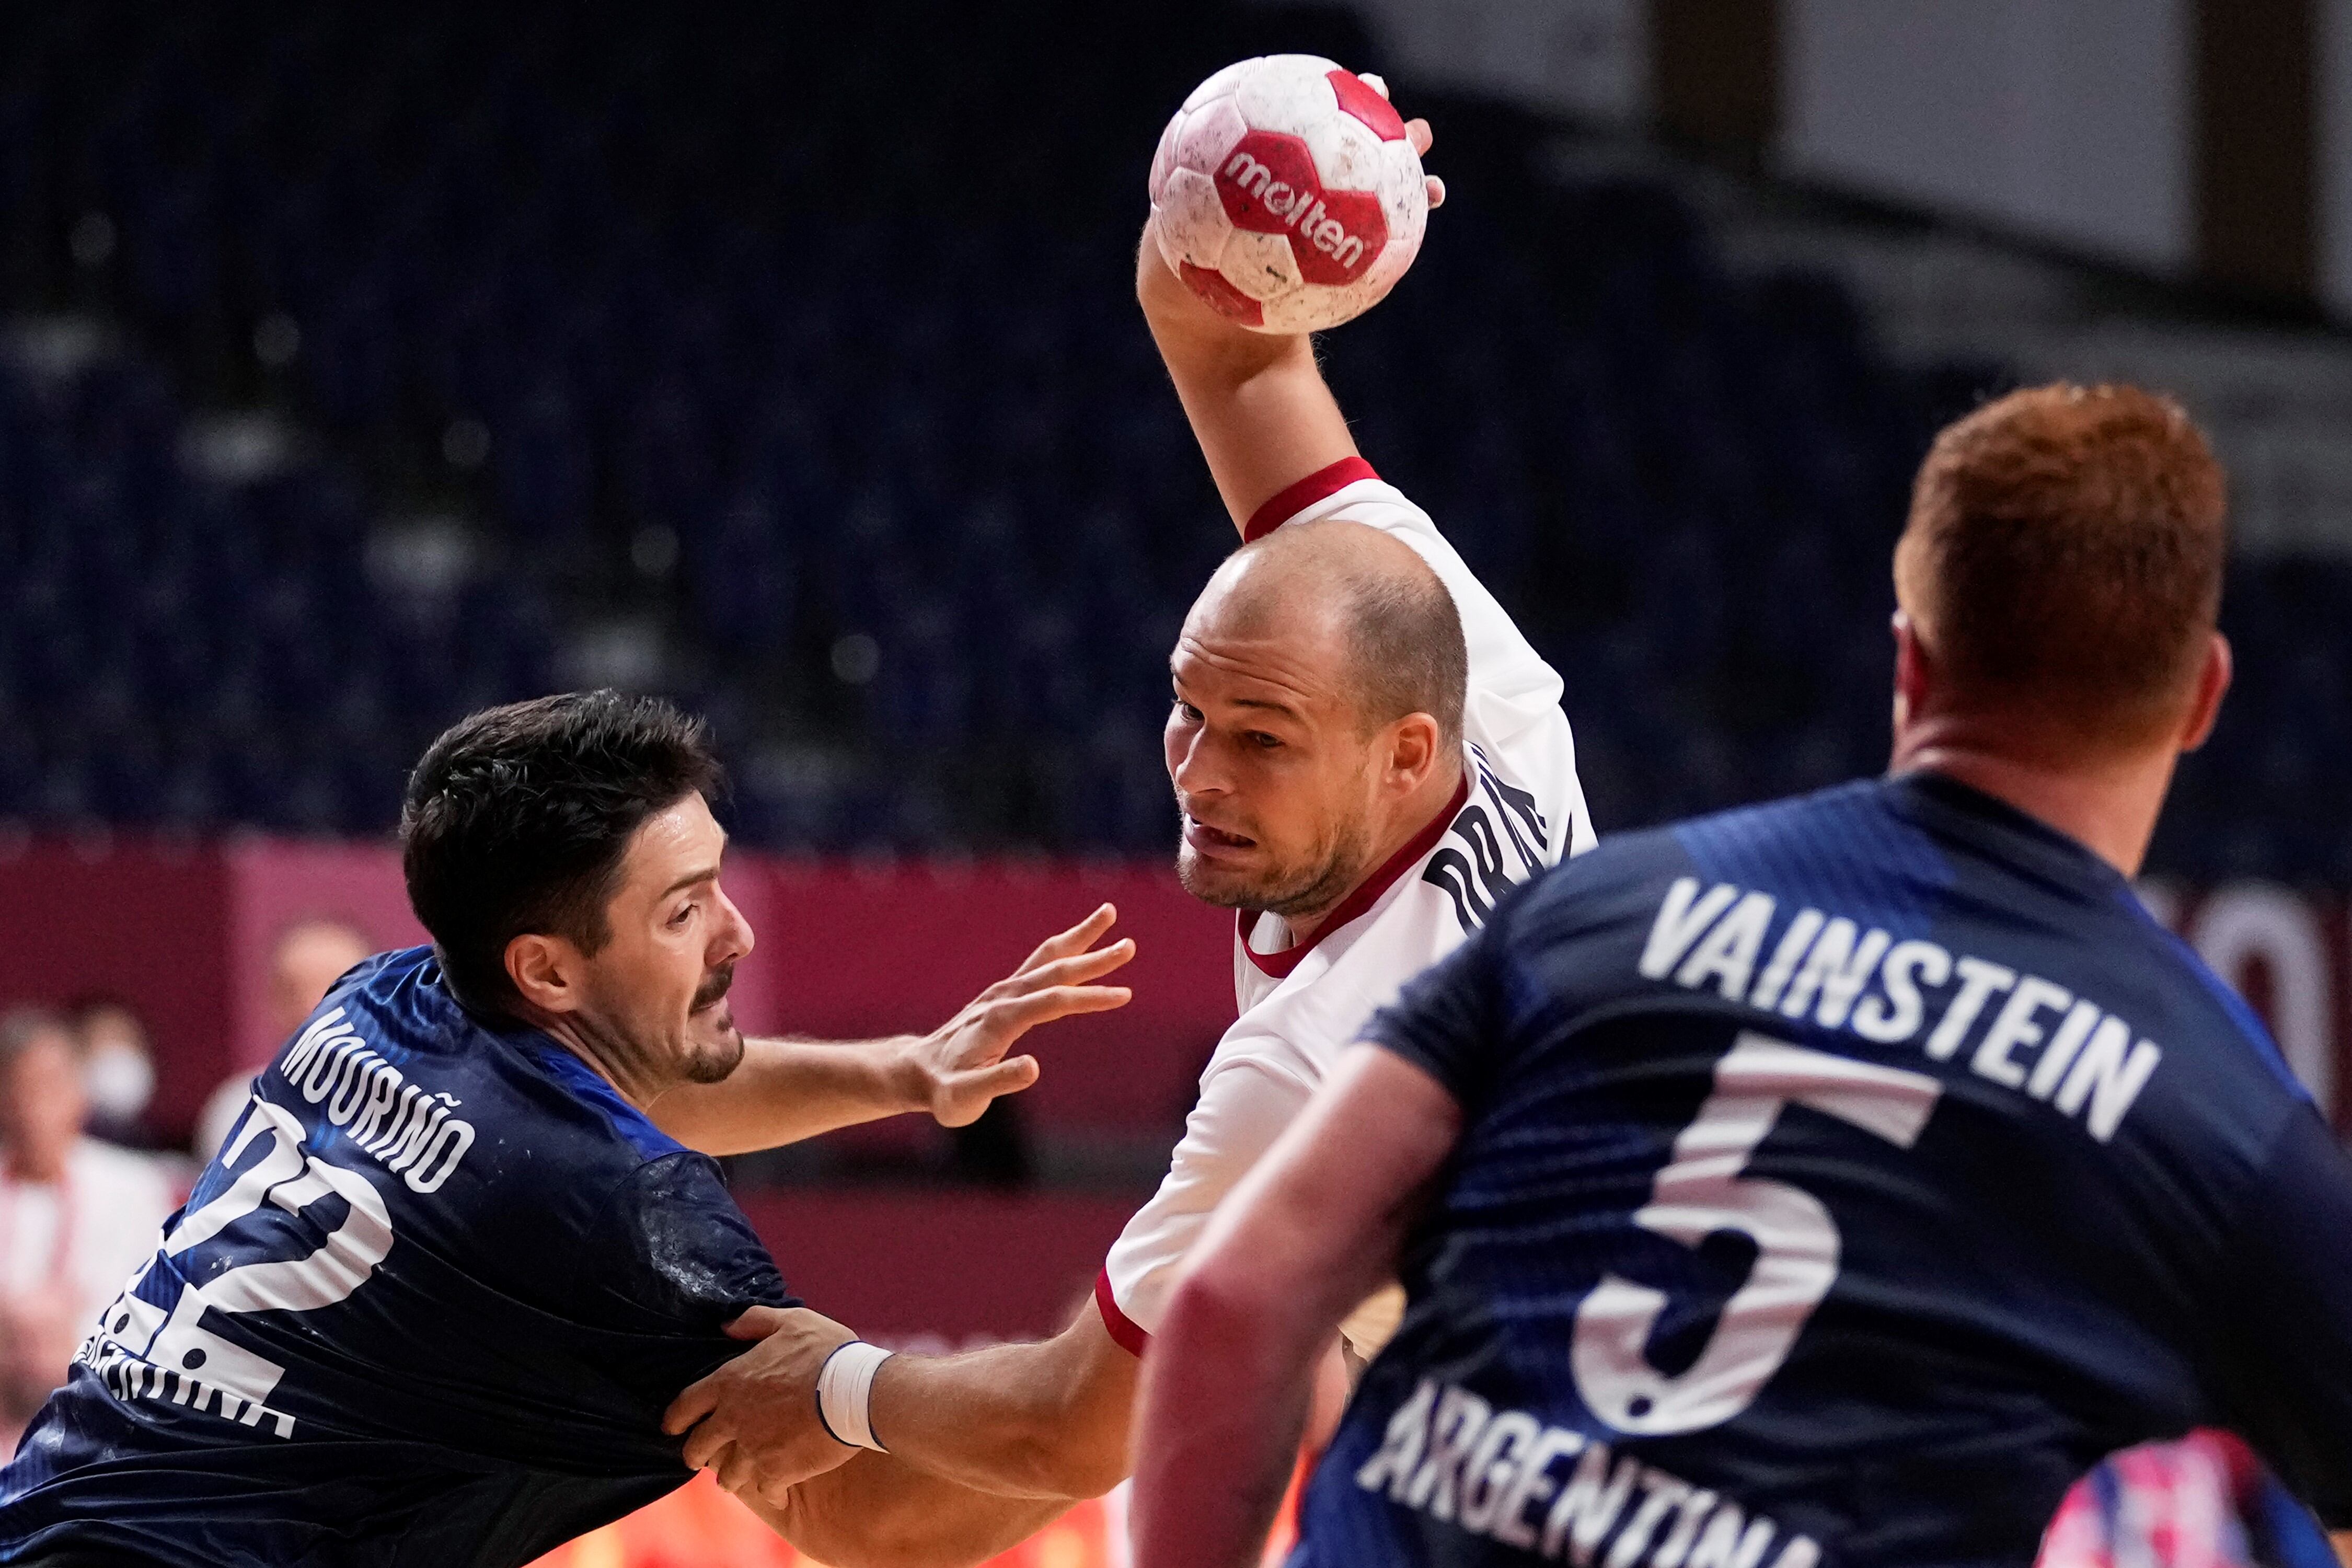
(1368, 756)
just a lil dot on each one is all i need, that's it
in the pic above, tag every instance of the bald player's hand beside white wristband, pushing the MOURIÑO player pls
(754, 1423)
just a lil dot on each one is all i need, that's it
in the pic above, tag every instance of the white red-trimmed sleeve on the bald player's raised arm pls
(1514, 704)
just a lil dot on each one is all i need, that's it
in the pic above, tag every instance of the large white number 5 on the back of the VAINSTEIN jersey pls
(1704, 1191)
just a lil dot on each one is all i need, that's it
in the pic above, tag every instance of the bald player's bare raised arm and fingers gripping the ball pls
(1257, 401)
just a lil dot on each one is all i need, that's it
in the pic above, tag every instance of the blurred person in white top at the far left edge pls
(76, 1217)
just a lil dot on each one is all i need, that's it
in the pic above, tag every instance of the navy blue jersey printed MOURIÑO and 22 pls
(425, 1308)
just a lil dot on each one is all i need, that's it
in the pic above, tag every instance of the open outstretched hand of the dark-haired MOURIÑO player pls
(963, 1064)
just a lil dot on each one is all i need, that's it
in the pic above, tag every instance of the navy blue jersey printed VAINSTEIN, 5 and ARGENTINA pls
(1838, 1184)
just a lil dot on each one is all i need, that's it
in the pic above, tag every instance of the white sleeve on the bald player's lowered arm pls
(1245, 1104)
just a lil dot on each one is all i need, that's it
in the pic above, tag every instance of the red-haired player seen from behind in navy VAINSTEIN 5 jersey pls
(1829, 1181)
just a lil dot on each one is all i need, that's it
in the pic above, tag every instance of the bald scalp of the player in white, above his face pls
(1370, 596)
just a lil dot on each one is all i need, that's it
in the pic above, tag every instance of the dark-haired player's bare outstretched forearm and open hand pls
(791, 1090)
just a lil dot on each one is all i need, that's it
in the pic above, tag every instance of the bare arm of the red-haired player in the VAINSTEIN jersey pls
(1304, 1238)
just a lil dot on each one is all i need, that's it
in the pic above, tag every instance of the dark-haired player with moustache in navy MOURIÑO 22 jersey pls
(434, 1292)
